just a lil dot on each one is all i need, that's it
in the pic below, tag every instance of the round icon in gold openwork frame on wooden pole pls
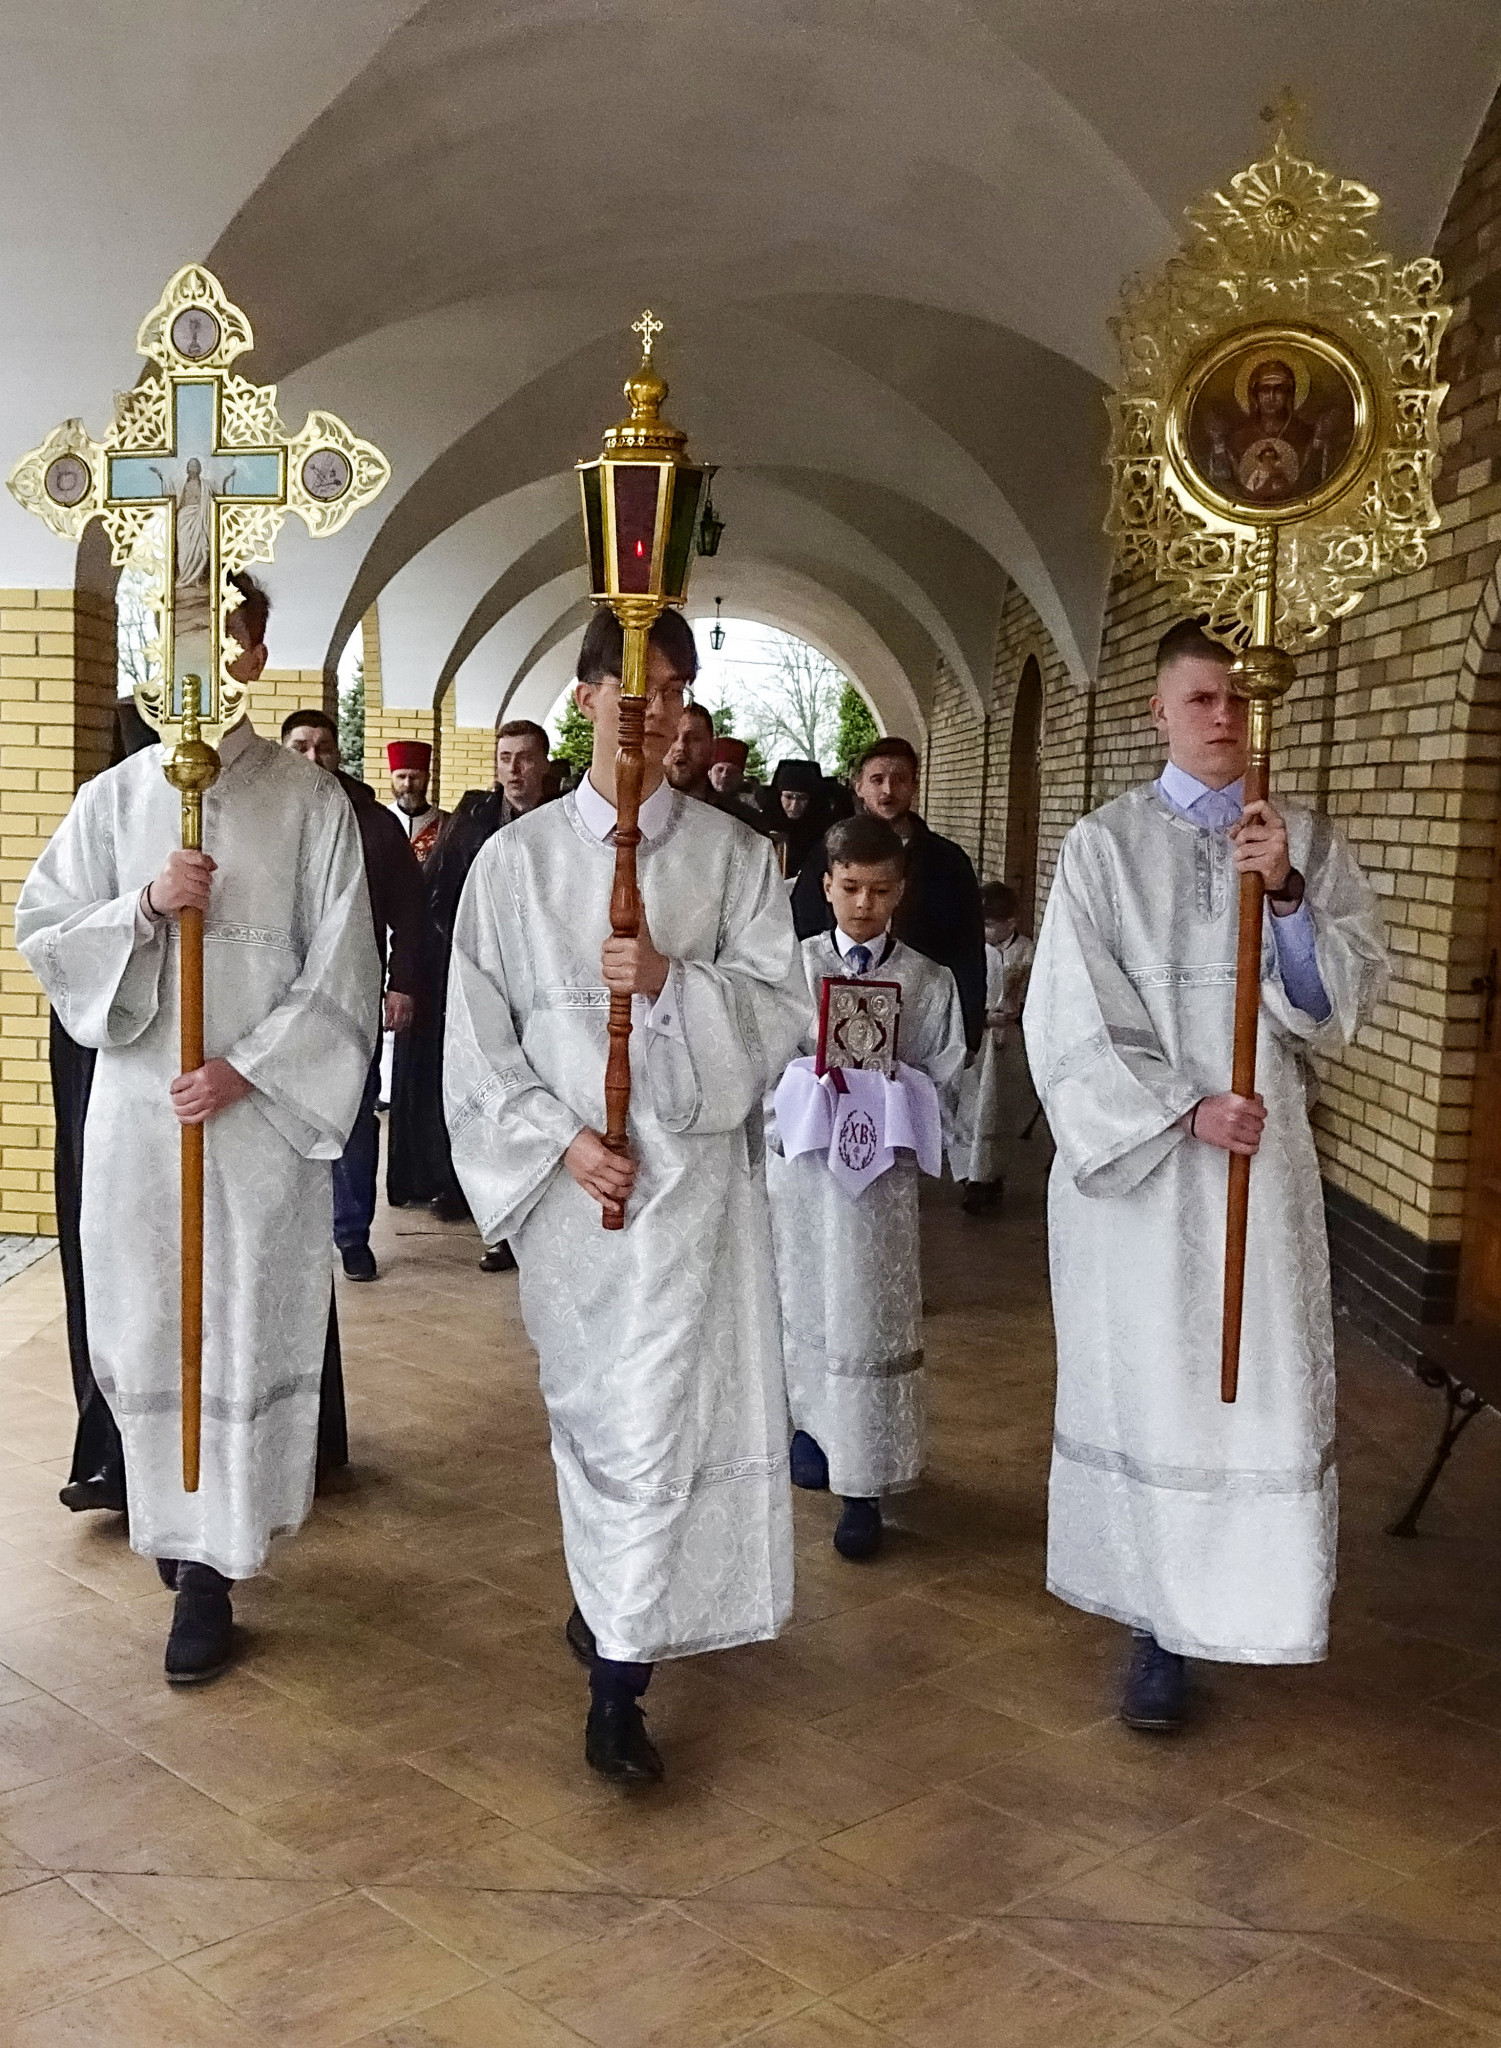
(1275, 445)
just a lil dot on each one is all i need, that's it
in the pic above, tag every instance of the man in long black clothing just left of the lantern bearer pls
(421, 1164)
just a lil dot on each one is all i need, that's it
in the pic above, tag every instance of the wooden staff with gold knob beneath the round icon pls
(1262, 677)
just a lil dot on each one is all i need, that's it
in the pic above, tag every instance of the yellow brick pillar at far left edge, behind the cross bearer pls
(56, 722)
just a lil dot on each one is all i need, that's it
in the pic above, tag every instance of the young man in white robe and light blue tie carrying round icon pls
(1209, 1529)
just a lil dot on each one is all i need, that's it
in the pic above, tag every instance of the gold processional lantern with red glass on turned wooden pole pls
(640, 515)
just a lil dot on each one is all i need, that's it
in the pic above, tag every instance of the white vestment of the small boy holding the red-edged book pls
(849, 1267)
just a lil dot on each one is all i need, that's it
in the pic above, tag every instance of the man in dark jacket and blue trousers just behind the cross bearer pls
(394, 880)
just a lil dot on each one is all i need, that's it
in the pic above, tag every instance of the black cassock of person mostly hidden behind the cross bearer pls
(97, 1441)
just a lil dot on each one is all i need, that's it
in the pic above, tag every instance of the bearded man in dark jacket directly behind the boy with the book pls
(941, 910)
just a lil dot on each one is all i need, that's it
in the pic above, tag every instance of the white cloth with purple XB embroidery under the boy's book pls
(859, 1121)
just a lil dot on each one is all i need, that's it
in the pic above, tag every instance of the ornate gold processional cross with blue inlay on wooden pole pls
(191, 482)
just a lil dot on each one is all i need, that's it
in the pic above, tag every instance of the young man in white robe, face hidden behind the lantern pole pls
(660, 1345)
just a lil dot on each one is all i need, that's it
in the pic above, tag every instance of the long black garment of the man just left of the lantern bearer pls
(419, 1160)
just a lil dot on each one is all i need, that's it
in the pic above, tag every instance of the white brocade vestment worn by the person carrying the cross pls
(292, 994)
